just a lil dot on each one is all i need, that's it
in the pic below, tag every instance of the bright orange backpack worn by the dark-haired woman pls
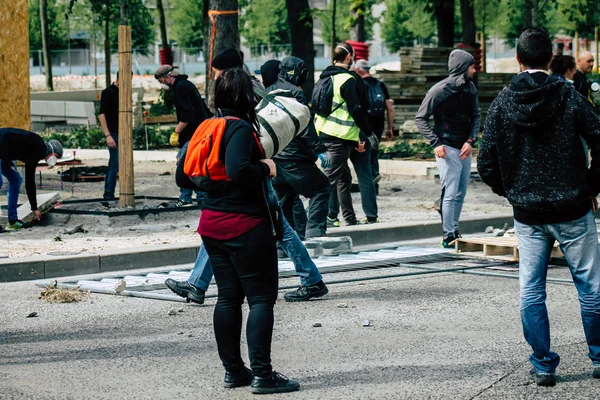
(202, 164)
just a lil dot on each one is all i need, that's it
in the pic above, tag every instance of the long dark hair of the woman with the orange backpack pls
(233, 90)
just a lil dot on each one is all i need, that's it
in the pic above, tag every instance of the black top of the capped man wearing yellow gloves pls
(189, 106)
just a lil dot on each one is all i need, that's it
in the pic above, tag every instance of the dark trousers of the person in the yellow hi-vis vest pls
(368, 195)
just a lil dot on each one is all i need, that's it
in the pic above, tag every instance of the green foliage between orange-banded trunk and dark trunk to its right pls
(264, 22)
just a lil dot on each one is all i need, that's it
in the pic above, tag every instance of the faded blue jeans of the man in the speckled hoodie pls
(578, 241)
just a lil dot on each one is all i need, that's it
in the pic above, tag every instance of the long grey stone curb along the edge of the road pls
(46, 267)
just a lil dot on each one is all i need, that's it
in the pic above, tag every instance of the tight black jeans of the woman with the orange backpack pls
(245, 266)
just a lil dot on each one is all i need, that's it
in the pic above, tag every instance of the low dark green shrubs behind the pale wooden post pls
(83, 138)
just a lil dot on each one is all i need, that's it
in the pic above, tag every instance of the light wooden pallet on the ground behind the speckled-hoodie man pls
(502, 248)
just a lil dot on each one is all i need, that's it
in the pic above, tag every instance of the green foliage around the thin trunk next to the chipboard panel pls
(57, 25)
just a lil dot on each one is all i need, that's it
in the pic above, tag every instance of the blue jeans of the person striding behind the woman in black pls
(291, 245)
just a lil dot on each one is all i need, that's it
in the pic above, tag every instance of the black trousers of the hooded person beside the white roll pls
(303, 178)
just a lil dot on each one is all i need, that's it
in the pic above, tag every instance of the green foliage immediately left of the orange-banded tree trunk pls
(187, 23)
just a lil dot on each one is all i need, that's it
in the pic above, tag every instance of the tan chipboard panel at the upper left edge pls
(14, 65)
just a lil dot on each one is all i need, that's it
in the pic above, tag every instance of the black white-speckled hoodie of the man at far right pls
(531, 150)
